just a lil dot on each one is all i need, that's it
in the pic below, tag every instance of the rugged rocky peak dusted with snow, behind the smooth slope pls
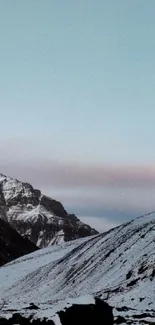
(42, 220)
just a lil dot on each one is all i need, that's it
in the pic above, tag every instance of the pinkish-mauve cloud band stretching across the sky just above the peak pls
(45, 172)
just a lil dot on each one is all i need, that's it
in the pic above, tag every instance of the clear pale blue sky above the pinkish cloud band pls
(77, 80)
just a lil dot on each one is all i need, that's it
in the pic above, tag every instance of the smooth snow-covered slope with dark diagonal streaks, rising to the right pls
(118, 266)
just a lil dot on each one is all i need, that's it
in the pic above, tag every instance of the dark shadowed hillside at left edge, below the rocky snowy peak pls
(12, 245)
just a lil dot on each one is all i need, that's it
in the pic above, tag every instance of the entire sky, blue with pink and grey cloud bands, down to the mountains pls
(77, 104)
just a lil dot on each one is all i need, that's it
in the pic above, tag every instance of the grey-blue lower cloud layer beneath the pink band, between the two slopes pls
(115, 204)
